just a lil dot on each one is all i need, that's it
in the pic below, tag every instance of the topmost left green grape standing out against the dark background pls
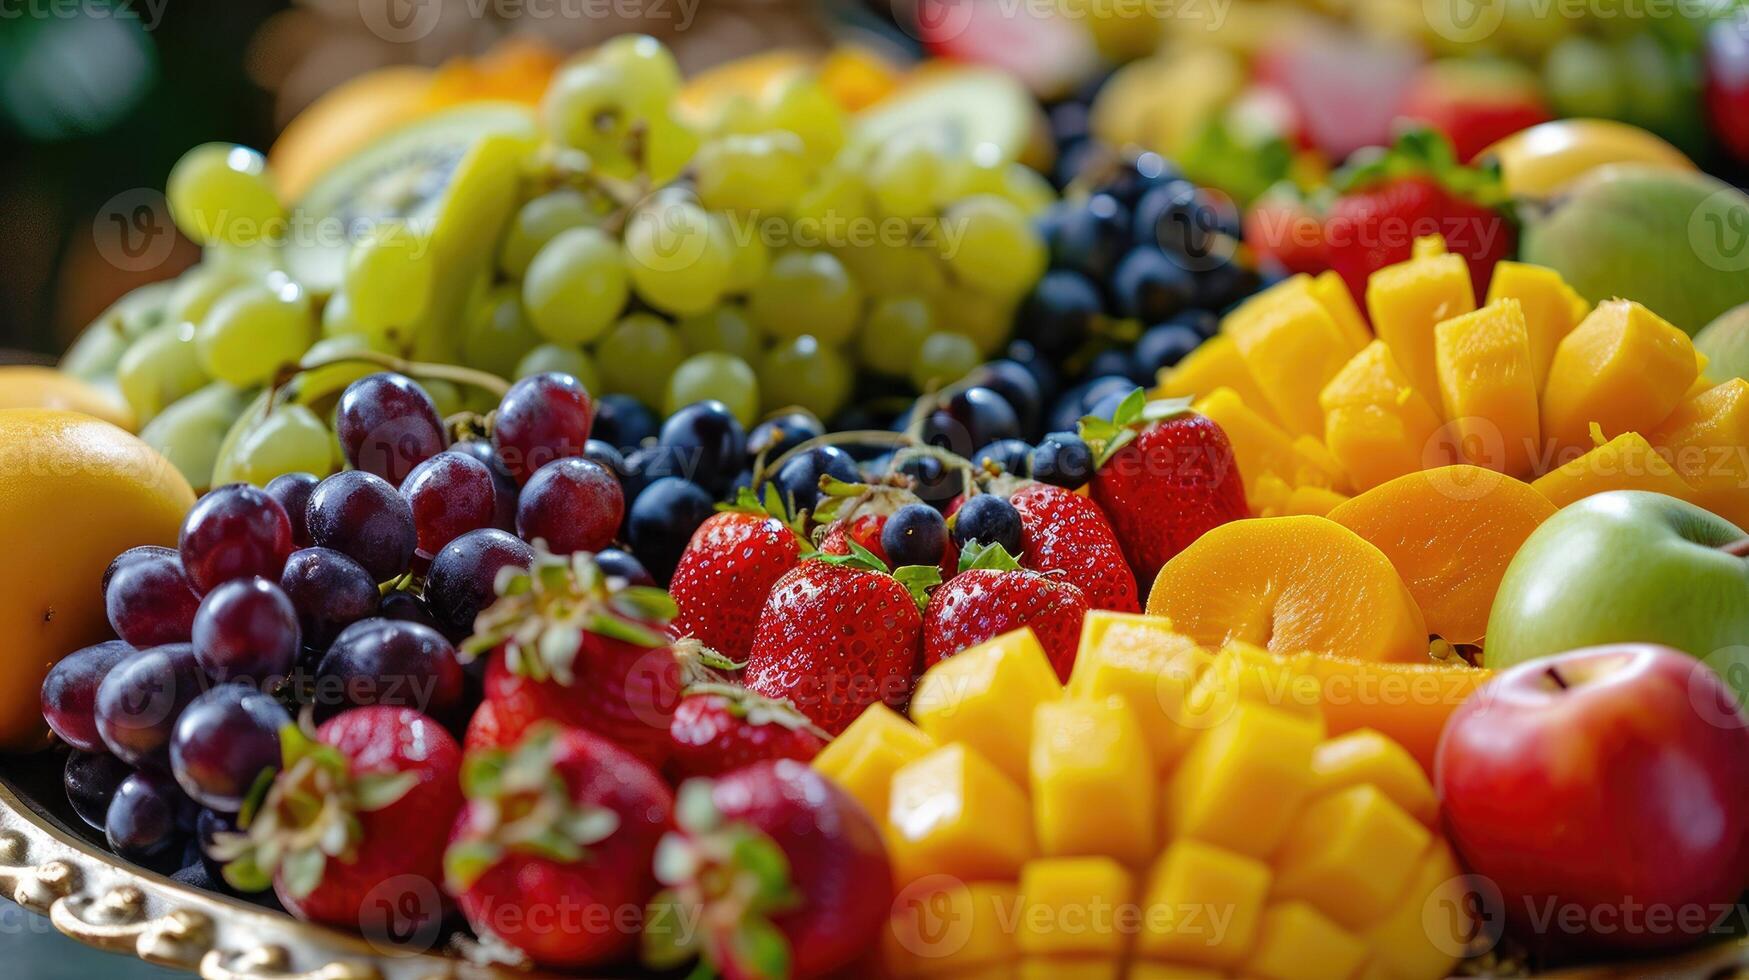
(221, 193)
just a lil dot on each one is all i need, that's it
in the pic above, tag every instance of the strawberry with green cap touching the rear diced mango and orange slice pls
(1166, 475)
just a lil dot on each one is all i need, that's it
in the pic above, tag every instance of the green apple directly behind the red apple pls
(1627, 568)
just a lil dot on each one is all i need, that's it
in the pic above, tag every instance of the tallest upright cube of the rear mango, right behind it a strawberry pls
(1405, 304)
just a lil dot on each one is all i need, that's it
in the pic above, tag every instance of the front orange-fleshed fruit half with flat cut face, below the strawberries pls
(1292, 584)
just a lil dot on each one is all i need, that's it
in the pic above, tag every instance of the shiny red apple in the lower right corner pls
(1606, 794)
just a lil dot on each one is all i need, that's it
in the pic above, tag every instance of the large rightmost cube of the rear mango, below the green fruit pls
(1624, 368)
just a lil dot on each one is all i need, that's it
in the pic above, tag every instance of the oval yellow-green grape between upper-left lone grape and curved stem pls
(254, 330)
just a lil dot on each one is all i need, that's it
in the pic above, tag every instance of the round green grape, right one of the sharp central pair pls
(679, 258)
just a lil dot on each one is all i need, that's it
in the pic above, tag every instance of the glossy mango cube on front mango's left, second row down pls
(952, 813)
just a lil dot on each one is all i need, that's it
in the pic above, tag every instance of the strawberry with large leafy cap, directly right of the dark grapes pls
(571, 645)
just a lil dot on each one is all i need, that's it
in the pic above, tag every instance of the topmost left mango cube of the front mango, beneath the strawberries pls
(986, 697)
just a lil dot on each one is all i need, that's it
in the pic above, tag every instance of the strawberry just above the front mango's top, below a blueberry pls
(993, 596)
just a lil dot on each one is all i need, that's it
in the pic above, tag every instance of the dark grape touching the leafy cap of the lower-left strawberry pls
(223, 743)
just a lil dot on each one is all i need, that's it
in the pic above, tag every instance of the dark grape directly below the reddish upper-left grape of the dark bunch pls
(247, 631)
